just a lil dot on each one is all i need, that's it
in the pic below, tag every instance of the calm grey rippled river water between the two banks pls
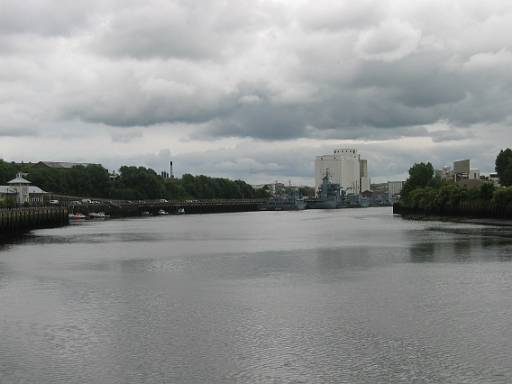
(342, 296)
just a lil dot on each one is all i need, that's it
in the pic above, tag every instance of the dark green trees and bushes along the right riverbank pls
(426, 191)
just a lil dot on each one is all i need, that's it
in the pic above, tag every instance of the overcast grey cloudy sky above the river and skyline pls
(255, 88)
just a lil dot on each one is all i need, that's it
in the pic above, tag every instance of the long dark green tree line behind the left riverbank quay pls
(130, 183)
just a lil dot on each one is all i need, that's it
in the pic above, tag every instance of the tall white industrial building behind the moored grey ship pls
(344, 167)
